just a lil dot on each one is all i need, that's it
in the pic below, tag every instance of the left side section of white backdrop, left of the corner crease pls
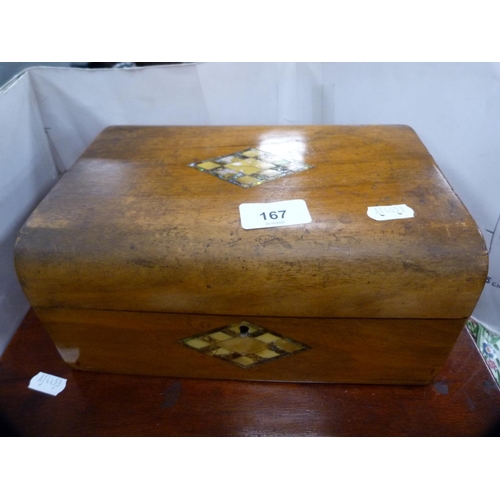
(27, 172)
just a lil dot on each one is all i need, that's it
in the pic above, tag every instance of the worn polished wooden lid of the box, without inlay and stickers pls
(132, 227)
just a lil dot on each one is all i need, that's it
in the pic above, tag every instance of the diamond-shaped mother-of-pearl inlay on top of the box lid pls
(250, 167)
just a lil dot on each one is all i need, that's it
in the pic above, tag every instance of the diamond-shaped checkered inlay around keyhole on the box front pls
(244, 344)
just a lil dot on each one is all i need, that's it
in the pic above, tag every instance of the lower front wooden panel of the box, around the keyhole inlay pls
(374, 351)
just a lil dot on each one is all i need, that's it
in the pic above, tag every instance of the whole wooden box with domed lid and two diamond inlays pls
(137, 262)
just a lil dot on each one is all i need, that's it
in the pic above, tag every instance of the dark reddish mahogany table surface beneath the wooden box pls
(463, 400)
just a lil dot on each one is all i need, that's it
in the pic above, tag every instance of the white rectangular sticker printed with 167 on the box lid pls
(278, 213)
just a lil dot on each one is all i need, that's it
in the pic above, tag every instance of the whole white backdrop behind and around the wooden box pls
(49, 116)
